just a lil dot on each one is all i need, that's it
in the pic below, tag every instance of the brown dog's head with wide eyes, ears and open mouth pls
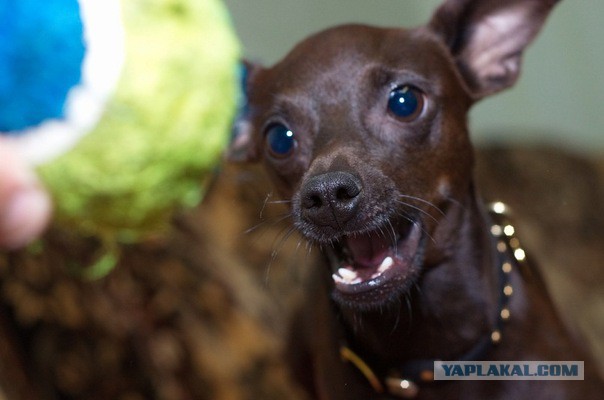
(365, 130)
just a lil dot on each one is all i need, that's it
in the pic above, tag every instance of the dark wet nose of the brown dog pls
(330, 199)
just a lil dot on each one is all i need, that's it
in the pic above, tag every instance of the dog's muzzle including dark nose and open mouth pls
(372, 256)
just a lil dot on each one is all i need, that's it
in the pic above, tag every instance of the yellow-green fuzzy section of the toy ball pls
(163, 130)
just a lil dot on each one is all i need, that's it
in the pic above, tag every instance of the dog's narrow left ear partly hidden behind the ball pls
(242, 147)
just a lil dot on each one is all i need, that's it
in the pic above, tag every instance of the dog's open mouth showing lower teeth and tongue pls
(375, 263)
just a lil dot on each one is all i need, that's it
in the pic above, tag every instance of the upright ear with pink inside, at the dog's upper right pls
(487, 38)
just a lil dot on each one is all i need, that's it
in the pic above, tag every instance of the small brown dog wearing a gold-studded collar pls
(365, 130)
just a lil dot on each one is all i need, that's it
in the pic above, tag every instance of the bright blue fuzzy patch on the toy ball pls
(41, 53)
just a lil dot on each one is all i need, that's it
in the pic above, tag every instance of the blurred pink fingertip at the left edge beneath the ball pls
(24, 218)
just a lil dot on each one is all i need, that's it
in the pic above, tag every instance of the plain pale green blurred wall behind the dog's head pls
(559, 98)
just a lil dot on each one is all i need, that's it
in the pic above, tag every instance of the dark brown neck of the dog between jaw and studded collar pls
(463, 275)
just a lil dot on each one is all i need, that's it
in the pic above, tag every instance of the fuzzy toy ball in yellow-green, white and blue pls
(124, 107)
